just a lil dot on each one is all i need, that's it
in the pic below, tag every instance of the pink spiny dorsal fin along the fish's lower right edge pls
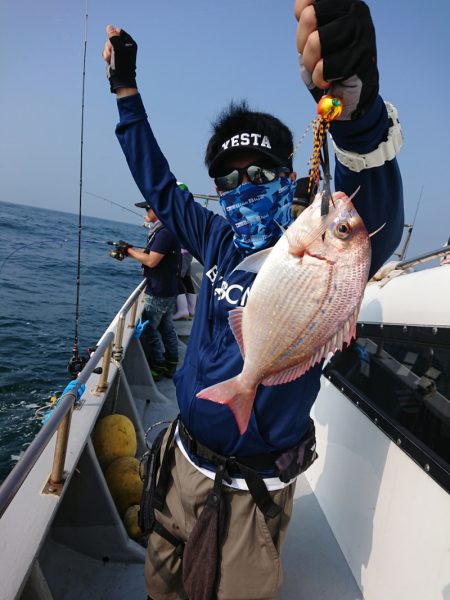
(343, 335)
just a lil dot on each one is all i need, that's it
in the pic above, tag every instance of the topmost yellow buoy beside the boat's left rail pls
(114, 436)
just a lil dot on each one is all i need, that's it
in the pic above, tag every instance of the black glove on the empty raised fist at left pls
(122, 70)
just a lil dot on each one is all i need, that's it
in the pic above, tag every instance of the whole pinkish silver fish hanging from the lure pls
(302, 305)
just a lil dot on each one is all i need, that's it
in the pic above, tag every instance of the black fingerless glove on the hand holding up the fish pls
(347, 39)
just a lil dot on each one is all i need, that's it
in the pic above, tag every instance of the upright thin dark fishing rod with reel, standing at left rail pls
(76, 362)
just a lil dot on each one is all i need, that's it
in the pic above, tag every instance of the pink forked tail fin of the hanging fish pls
(236, 396)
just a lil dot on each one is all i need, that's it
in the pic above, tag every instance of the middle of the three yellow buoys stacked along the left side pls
(124, 482)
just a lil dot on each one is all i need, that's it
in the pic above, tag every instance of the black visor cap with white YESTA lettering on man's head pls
(250, 141)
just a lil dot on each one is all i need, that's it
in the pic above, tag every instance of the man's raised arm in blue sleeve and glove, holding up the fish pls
(337, 51)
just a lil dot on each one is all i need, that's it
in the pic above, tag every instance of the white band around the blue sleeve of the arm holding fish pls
(385, 151)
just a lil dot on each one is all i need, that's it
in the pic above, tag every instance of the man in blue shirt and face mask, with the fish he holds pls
(276, 298)
